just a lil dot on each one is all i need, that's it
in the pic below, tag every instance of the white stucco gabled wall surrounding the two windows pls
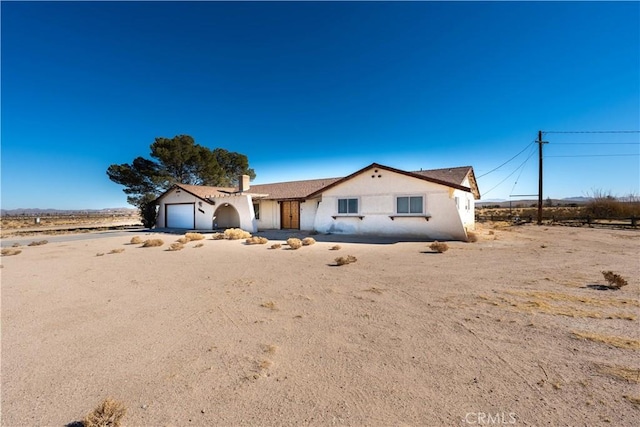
(377, 202)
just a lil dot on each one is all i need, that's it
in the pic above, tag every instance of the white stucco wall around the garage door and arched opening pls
(204, 211)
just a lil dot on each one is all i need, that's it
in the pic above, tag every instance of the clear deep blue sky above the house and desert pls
(319, 89)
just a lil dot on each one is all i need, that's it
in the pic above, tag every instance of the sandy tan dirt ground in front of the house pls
(508, 330)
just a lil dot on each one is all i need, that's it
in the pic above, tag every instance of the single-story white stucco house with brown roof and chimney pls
(375, 200)
